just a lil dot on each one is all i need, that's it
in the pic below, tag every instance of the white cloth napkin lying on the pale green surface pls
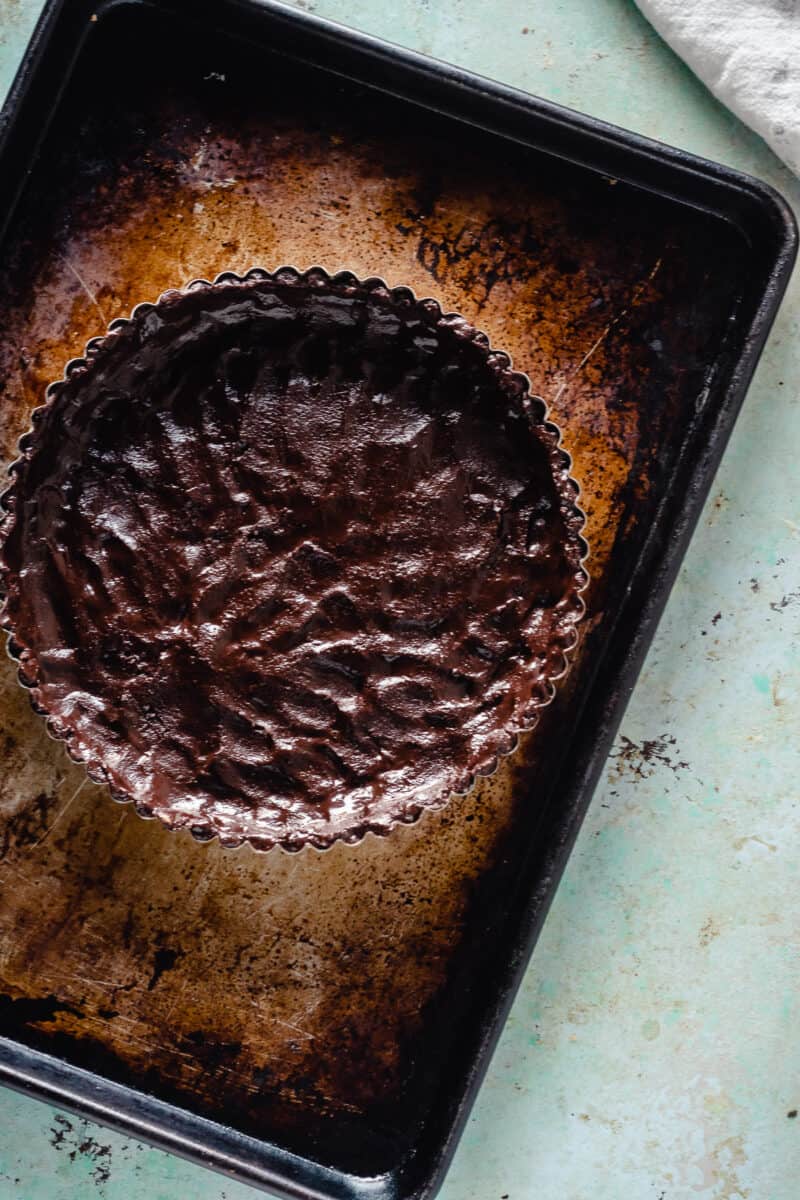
(748, 52)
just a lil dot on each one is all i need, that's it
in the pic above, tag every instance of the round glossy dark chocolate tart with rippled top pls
(288, 559)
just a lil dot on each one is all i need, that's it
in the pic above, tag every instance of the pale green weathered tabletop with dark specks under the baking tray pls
(653, 1051)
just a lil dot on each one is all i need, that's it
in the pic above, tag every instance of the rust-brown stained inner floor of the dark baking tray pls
(297, 995)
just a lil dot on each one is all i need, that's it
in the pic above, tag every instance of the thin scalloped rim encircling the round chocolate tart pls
(315, 275)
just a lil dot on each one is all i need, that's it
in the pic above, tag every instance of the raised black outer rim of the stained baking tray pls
(756, 209)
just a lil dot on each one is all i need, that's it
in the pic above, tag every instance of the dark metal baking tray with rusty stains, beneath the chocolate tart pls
(320, 1024)
